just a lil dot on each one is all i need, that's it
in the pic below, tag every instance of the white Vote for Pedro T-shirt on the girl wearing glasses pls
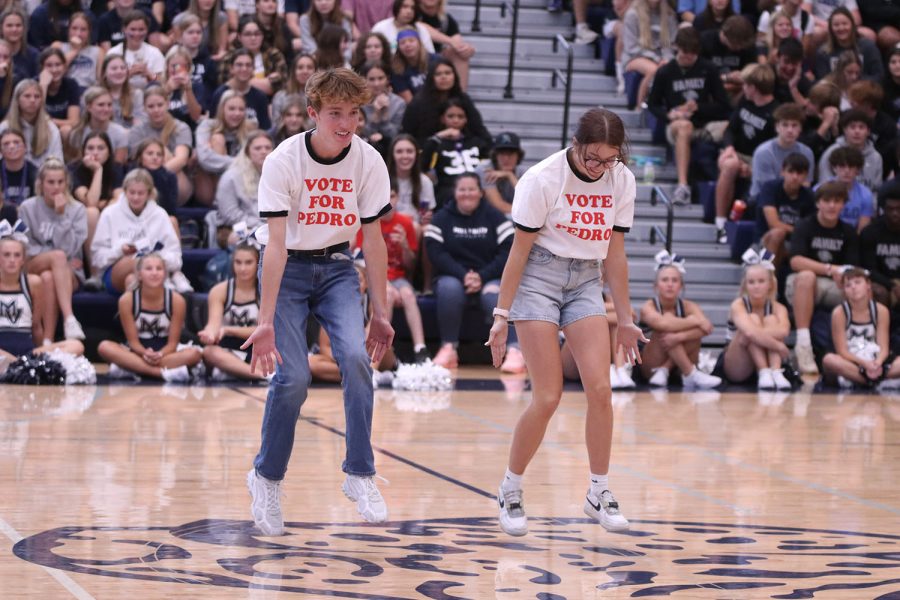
(574, 217)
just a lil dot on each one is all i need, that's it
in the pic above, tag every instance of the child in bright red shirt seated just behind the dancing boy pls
(402, 244)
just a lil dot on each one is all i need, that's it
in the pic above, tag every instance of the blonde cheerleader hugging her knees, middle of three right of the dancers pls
(675, 327)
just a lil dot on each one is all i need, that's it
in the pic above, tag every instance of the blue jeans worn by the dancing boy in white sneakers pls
(330, 290)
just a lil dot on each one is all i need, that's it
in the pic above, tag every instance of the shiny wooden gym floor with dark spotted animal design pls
(138, 492)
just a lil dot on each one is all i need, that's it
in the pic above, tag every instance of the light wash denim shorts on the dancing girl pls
(558, 290)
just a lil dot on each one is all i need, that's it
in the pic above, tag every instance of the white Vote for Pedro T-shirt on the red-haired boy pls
(325, 200)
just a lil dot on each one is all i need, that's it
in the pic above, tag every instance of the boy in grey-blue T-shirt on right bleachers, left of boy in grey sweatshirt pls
(769, 156)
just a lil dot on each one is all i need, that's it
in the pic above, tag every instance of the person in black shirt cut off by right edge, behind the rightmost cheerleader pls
(880, 246)
